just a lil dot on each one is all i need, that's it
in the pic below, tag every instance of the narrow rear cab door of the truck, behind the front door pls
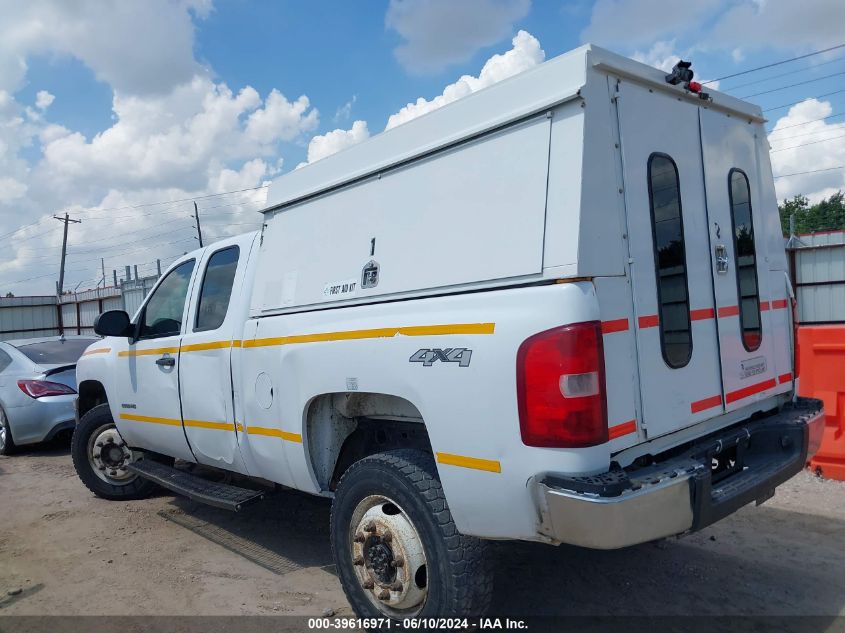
(205, 373)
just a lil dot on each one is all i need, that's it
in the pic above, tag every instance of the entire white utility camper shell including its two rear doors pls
(557, 174)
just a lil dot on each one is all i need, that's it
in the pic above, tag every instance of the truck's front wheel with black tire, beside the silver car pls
(99, 454)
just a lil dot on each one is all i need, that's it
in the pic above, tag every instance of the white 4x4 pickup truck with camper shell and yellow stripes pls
(556, 310)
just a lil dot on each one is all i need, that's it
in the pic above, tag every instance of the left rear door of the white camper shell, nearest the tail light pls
(677, 345)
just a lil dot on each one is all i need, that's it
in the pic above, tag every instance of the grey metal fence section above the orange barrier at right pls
(817, 263)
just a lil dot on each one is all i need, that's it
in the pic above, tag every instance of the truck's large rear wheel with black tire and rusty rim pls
(396, 548)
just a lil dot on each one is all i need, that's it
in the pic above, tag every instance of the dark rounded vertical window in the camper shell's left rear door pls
(670, 263)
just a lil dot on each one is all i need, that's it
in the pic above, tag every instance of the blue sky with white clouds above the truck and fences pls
(111, 104)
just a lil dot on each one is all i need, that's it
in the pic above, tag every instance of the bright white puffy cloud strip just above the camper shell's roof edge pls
(526, 53)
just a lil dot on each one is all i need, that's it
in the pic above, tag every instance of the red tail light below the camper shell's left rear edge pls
(561, 389)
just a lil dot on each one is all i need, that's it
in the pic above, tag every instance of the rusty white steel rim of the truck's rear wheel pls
(388, 557)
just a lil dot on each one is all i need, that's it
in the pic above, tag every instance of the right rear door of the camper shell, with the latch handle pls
(740, 270)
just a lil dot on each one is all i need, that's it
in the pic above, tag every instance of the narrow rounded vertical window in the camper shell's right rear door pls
(745, 259)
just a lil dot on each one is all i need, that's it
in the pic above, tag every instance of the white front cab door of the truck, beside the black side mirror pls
(147, 374)
